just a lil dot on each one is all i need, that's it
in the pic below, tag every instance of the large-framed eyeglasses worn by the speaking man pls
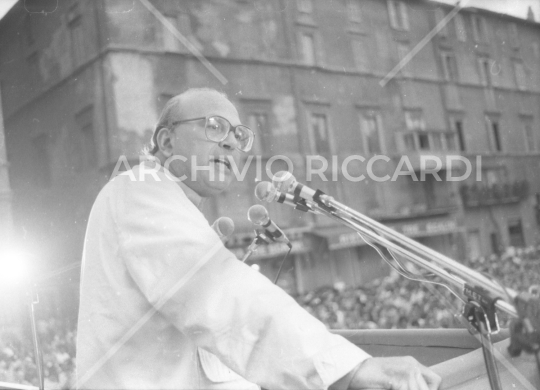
(217, 129)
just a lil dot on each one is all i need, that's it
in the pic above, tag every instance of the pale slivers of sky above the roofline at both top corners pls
(513, 7)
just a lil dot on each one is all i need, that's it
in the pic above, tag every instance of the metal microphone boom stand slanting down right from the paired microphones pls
(484, 295)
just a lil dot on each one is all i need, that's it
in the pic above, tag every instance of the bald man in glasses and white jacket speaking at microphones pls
(164, 305)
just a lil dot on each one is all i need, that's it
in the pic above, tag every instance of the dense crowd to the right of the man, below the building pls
(396, 302)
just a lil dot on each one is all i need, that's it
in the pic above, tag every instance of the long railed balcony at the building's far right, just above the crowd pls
(474, 195)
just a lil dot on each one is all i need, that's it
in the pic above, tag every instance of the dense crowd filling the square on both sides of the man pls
(389, 303)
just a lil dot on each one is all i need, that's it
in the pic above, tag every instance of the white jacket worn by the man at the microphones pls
(164, 305)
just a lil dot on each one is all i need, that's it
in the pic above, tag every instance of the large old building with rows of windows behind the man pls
(83, 85)
